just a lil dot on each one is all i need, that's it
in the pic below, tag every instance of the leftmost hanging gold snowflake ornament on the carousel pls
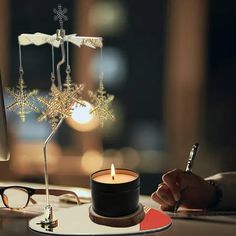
(24, 102)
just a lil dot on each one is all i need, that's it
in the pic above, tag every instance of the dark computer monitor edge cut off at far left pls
(4, 151)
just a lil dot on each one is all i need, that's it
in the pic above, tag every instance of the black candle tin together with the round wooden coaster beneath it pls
(115, 200)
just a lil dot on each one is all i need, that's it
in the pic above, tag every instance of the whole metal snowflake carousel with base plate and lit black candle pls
(115, 207)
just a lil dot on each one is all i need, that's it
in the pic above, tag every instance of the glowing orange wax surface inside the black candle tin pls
(119, 178)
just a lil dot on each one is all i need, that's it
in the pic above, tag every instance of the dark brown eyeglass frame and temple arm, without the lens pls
(32, 191)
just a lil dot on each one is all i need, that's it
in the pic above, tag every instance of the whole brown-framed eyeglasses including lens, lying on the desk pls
(18, 197)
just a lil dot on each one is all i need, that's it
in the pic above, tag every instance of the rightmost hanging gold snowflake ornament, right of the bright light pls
(101, 102)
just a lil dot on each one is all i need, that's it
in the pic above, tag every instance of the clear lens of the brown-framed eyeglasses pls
(16, 197)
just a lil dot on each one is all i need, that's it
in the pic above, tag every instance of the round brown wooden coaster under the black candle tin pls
(123, 221)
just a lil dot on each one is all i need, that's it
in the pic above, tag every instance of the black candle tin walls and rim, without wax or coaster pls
(115, 200)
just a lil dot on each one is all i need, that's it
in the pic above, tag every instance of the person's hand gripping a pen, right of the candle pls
(194, 191)
